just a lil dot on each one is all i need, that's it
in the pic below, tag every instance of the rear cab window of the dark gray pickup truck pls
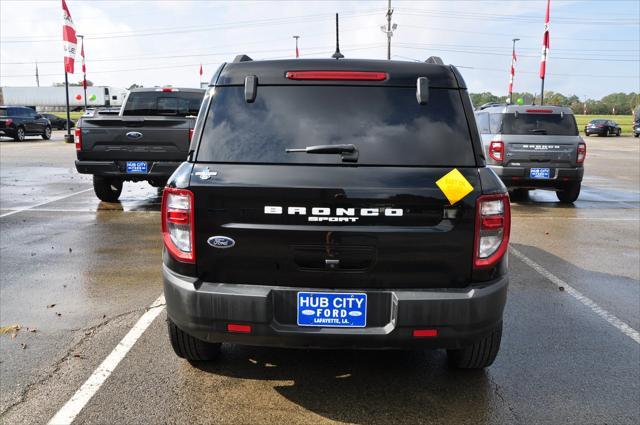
(163, 103)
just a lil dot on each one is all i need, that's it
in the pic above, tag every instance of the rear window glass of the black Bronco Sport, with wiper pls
(387, 126)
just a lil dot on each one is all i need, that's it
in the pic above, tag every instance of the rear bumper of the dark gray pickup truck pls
(157, 169)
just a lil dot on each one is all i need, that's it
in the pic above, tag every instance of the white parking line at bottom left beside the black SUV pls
(72, 408)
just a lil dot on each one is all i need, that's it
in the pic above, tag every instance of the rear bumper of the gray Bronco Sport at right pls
(518, 177)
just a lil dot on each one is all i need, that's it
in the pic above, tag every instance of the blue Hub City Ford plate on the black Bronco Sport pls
(333, 309)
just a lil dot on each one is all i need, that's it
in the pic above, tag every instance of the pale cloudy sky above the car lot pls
(595, 45)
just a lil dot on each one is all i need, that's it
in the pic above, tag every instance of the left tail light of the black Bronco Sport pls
(177, 224)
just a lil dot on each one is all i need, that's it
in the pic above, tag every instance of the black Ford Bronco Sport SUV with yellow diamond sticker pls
(336, 203)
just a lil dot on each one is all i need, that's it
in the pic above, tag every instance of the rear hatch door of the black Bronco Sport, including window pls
(313, 220)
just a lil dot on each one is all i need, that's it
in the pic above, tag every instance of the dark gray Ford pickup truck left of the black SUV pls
(146, 141)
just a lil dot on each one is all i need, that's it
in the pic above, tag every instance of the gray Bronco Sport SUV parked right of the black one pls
(534, 147)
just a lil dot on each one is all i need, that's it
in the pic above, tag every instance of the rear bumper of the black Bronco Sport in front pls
(460, 316)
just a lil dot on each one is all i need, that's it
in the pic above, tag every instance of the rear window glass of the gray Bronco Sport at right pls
(532, 124)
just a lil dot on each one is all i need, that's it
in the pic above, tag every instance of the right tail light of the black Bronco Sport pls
(493, 225)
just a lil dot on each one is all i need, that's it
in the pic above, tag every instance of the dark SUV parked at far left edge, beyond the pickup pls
(19, 122)
